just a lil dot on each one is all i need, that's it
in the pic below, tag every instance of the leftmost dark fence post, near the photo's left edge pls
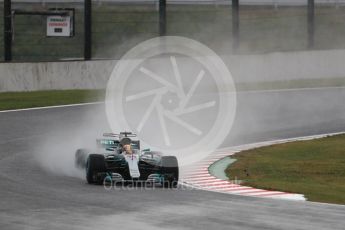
(7, 31)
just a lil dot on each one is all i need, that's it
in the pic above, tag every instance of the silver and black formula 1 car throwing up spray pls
(119, 159)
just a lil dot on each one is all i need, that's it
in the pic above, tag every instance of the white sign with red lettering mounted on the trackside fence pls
(59, 26)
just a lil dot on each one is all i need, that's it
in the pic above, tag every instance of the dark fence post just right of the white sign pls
(87, 29)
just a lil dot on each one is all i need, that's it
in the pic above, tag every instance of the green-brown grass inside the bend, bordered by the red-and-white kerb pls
(314, 168)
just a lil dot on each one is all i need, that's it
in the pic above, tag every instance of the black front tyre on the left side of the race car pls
(95, 164)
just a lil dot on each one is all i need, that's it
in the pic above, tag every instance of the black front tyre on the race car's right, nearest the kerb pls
(170, 171)
